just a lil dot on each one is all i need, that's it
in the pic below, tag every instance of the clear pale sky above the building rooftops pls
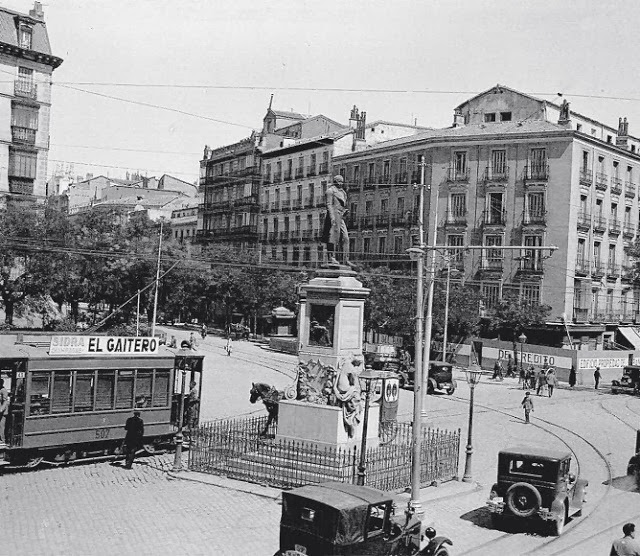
(203, 71)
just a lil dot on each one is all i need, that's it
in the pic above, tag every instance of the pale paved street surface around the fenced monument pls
(102, 508)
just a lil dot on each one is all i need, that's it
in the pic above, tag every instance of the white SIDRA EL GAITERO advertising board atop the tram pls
(103, 345)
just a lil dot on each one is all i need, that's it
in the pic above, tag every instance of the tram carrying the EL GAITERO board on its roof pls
(71, 395)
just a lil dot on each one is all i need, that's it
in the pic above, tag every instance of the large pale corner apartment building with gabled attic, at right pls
(512, 170)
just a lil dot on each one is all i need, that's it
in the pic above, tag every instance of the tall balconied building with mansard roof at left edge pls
(25, 109)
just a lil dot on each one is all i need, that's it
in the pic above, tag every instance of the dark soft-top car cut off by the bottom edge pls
(345, 519)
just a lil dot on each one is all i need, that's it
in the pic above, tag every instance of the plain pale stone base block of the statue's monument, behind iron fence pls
(322, 425)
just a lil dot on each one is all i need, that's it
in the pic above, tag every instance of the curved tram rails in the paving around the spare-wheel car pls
(579, 526)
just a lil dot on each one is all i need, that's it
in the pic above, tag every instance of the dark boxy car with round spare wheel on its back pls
(536, 483)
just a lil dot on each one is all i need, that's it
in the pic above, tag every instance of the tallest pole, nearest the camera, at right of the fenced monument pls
(415, 506)
